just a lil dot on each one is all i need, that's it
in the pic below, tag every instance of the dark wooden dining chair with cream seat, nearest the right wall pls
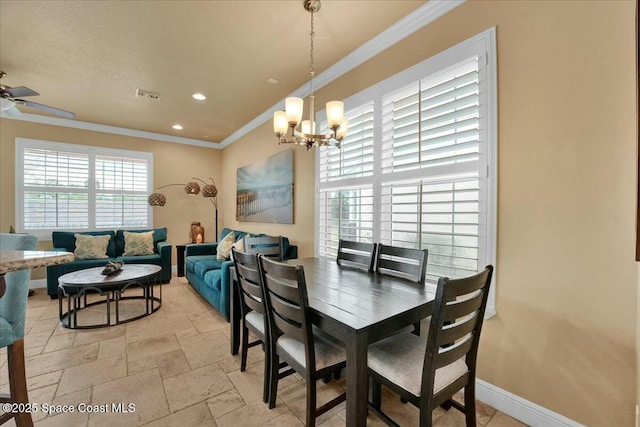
(428, 372)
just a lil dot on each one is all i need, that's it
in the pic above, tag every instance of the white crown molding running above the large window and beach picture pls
(408, 25)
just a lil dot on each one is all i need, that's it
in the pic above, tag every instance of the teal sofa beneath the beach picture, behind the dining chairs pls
(211, 277)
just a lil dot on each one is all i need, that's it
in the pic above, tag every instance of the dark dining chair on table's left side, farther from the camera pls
(252, 311)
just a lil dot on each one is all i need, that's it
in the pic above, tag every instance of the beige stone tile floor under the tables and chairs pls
(174, 368)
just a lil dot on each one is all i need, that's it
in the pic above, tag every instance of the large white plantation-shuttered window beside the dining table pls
(418, 166)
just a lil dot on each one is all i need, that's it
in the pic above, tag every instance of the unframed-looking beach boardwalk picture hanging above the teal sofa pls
(265, 190)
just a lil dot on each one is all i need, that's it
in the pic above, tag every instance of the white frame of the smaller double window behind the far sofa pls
(92, 152)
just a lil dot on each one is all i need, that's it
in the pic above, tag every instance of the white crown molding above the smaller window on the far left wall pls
(95, 127)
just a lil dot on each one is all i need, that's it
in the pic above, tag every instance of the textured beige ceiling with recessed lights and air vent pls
(90, 56)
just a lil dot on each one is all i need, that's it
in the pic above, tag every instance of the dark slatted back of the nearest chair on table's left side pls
(287, 303)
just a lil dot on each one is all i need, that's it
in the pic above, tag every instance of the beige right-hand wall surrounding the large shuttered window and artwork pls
(564, 336)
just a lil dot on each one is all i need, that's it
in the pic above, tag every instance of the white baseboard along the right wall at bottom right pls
(521, 409)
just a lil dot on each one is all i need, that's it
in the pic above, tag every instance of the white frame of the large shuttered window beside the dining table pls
(483, 45)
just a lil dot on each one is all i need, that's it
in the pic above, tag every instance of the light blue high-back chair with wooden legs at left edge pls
(13, 305)
